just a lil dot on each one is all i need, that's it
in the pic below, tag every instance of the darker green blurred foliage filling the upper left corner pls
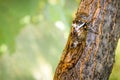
(11, 11)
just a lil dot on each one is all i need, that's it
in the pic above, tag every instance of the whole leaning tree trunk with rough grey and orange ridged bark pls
(89, 53)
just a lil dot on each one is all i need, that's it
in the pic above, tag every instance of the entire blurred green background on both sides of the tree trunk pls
(33, 34)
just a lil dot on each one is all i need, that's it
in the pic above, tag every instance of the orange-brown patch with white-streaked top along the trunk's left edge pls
(74, 48)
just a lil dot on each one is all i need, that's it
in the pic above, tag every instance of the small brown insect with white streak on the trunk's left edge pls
(79, 30)
